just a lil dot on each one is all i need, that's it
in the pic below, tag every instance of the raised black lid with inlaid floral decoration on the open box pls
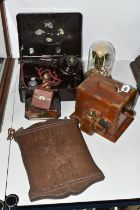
(52, 34)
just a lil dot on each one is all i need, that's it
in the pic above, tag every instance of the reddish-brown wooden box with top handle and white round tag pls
(104, 106)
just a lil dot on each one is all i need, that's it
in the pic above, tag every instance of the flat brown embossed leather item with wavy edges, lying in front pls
(56, 158)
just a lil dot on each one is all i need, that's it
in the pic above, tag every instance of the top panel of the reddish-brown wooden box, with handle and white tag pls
(108, 91)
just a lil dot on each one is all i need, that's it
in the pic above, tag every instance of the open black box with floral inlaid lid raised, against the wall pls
(45, 39)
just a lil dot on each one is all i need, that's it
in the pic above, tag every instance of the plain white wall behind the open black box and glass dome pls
(117, 21)
